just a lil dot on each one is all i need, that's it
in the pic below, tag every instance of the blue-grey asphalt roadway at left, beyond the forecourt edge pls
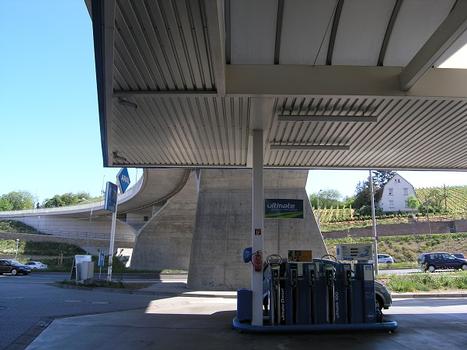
(27, 302)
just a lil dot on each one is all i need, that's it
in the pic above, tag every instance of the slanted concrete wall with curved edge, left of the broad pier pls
(165, 241)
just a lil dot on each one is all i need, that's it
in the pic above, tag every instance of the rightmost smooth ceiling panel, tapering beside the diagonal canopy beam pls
(416, 22)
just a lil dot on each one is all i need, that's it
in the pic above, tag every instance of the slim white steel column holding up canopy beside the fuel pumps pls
(257, 225)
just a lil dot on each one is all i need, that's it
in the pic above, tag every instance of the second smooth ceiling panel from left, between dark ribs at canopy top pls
(306, 27)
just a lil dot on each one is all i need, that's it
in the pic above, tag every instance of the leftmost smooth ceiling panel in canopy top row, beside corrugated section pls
(253, 31)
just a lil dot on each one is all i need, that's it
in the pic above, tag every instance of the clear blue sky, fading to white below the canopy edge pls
(50, 141)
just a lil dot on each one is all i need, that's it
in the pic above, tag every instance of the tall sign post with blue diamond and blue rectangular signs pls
(111, 204)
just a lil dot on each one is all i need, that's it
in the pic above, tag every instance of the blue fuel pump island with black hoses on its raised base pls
(318, 296)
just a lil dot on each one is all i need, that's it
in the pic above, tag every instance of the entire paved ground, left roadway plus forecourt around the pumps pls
(47, 317)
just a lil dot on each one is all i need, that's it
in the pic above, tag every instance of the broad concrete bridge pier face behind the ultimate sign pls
(223, 226)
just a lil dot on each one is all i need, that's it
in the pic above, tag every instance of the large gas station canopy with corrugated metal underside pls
(341, 84)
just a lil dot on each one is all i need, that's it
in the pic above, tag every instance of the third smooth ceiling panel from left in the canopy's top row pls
(361, 31)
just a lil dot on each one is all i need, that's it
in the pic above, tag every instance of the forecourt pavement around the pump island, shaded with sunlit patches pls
(205, 323)
